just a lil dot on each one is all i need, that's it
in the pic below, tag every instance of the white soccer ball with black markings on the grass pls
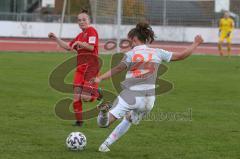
(76, 141)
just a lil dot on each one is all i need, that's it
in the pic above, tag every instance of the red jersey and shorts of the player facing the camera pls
(87, 61)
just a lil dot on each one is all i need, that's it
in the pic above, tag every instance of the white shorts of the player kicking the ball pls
(141, 107)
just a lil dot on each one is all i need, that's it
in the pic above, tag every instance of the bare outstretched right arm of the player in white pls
(176, 56)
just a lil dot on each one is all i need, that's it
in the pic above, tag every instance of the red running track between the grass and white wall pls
(45, 45)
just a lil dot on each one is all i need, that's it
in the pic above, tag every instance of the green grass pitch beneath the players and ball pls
(208, 85)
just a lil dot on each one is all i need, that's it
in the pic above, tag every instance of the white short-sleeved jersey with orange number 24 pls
(143, 63)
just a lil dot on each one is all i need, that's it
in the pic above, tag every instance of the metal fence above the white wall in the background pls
(157, 12)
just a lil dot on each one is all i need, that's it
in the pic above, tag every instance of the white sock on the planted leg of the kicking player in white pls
(120, 130)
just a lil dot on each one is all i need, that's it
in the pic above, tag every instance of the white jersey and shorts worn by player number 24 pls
(138, 93)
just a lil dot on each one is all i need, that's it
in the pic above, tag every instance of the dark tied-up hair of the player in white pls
(143, 32)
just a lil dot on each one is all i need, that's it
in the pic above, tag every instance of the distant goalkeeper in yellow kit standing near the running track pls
(226, 26)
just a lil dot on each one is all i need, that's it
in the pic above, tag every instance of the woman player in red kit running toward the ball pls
(86, 45)
